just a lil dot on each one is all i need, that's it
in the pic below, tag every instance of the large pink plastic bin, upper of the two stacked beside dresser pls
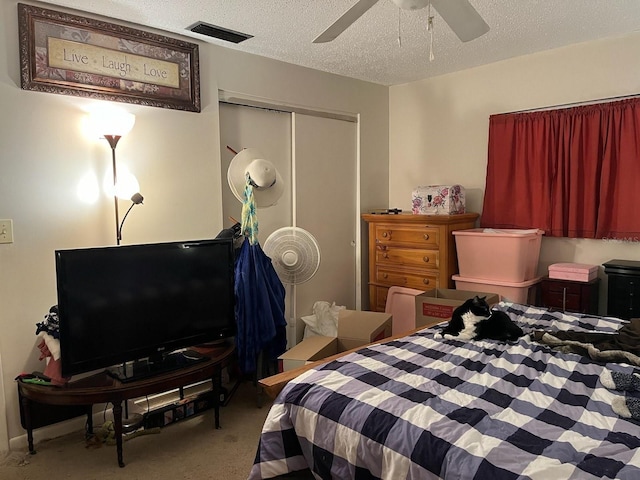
(502, 255)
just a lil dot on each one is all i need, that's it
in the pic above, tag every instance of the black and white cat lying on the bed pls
(474, 320)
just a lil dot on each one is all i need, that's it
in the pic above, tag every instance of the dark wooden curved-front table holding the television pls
(102, 388)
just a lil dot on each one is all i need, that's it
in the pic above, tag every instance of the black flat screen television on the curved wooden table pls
(125, 303)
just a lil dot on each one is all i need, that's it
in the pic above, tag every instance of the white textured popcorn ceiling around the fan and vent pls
(369, 49)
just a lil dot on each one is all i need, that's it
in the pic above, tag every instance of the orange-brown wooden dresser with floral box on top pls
(415, 251)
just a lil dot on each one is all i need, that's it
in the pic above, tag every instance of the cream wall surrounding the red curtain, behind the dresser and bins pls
(439, 127)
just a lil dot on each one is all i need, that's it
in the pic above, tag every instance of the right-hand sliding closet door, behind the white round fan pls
(325, 199)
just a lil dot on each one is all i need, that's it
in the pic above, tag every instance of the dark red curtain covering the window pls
(571, 172)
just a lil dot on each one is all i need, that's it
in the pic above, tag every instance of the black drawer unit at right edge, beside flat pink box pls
(623, 293)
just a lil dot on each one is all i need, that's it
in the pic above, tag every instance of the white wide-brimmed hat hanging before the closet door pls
(268, 185)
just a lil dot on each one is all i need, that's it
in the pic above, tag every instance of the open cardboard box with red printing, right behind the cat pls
(437, 305)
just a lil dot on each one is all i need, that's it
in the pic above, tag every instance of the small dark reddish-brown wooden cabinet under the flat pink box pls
(570, 295)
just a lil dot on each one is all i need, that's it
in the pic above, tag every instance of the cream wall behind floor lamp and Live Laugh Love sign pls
(175, 155)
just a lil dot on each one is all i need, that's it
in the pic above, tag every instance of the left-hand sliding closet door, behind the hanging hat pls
(270, 132)
